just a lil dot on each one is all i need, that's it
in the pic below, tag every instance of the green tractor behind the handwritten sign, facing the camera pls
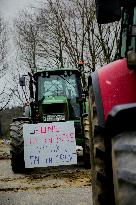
(55, 96)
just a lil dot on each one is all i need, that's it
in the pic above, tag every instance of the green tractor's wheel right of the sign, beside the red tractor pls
(86, 148)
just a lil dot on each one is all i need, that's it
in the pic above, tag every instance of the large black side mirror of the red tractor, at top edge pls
(108, 11)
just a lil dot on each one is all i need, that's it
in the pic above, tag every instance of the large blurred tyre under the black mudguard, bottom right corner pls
(124, 167)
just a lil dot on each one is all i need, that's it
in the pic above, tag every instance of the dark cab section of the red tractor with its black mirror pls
(111, 11)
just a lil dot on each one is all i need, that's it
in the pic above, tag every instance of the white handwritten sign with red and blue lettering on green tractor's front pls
(49, 144)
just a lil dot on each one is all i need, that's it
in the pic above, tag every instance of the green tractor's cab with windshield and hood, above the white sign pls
(59, 94)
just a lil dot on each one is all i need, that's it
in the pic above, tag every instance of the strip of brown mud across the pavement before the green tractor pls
(45, 181)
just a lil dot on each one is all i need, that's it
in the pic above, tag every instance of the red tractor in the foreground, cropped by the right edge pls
(113, 98)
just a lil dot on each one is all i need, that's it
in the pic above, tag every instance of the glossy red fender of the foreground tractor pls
(117, 85)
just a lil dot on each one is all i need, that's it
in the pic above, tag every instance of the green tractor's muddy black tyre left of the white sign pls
(17, 146)
